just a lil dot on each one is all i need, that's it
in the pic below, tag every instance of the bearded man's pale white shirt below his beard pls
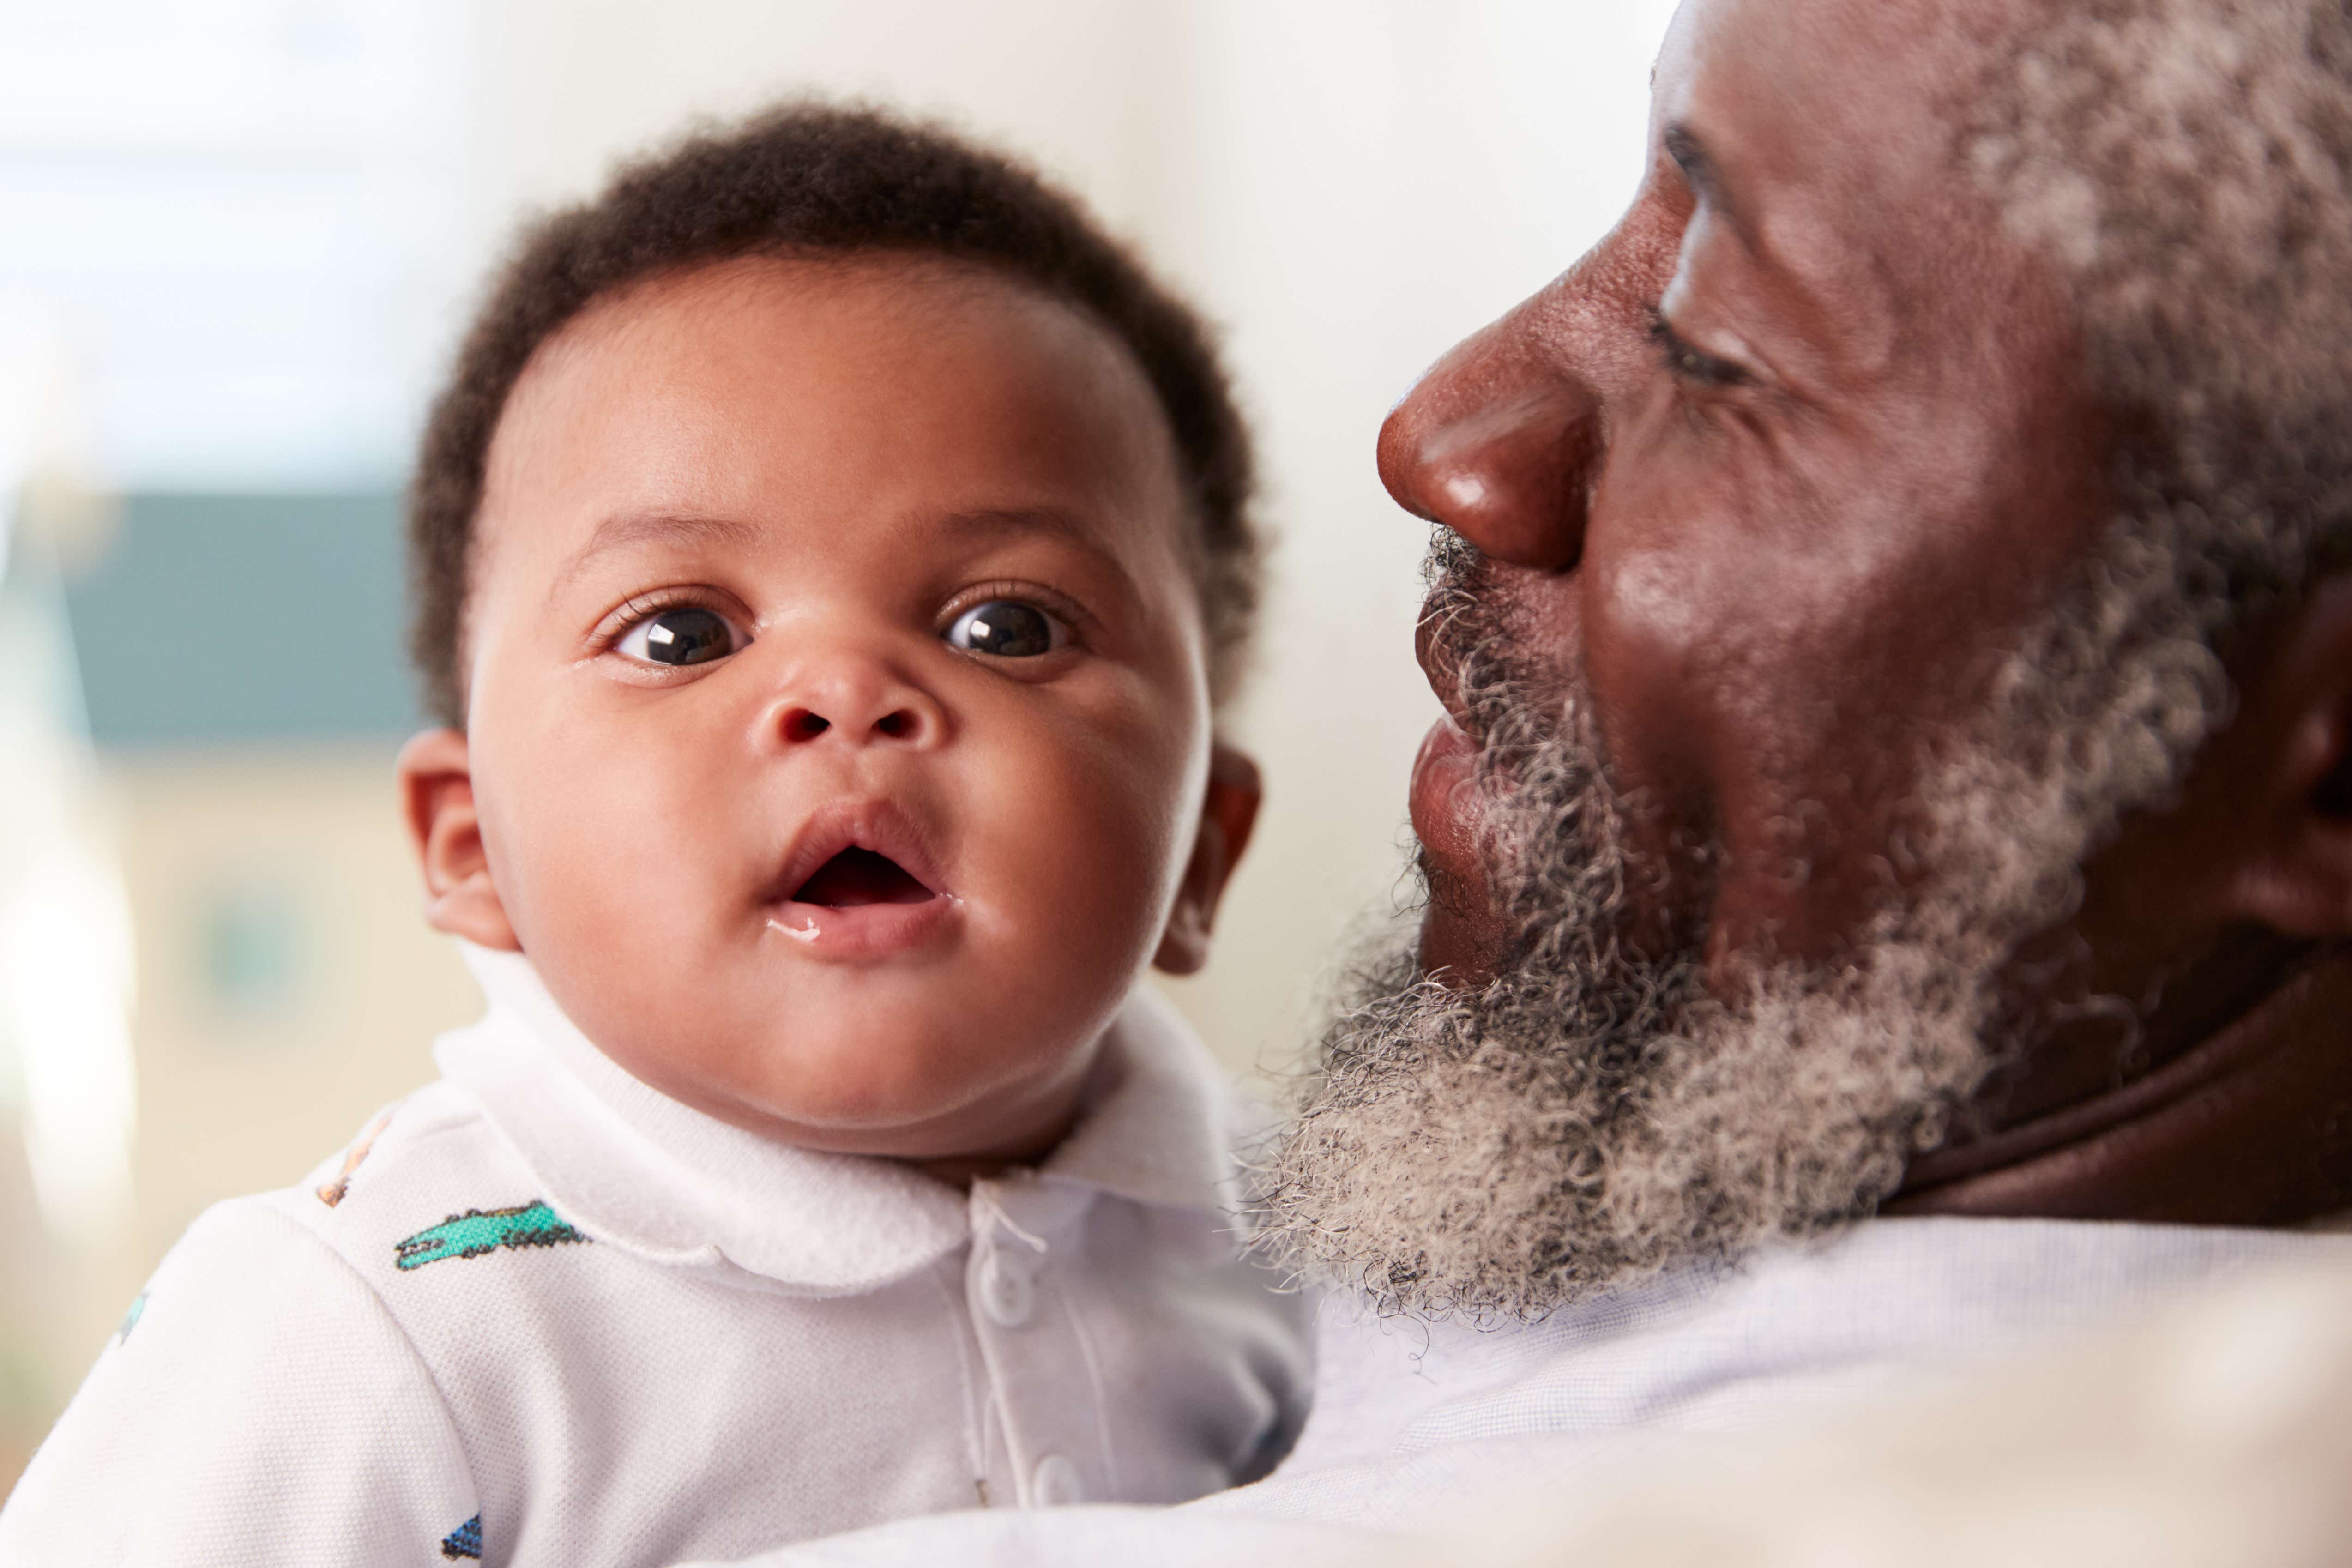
(1424, 1426)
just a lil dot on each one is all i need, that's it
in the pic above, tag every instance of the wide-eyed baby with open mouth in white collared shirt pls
(831, 551)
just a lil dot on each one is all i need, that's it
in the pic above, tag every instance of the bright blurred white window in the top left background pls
(250, 220)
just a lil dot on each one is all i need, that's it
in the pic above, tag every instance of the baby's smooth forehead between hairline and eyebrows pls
(857, 384)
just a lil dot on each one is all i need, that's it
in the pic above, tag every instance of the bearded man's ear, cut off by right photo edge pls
(2294, 871)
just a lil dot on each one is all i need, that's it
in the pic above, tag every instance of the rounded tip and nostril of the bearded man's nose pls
(1502, 448)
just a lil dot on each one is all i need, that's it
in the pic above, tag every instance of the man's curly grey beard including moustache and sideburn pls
(1593, 1113)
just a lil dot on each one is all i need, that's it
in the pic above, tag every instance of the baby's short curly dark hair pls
(824, 180)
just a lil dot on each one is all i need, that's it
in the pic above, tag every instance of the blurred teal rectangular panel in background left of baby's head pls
(246, 619)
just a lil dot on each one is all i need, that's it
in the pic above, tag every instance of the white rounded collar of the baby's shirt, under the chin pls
(636, 1170)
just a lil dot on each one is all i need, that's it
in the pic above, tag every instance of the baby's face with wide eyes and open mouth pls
(838, 721)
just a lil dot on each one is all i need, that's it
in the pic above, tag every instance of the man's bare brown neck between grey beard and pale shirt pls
(2252, 1127)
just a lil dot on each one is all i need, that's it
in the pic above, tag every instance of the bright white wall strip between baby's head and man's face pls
(1354, 187)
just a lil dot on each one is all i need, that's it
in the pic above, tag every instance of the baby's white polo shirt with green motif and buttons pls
(547, 1315)
